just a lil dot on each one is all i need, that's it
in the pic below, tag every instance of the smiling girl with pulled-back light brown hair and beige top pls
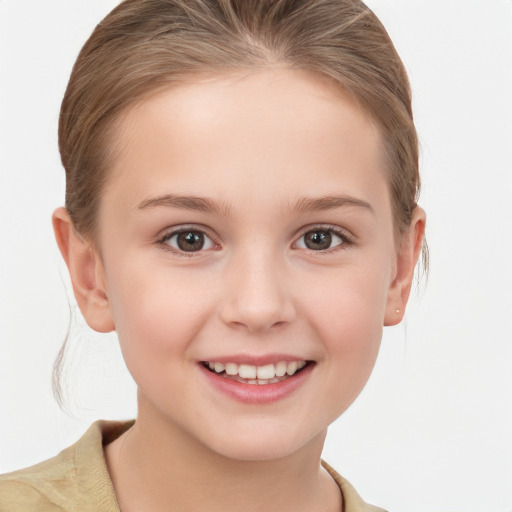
(241, 187)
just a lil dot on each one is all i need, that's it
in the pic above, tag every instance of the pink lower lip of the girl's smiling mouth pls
(257, 393)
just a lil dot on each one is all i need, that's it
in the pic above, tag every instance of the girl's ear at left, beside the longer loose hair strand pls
(86, 272)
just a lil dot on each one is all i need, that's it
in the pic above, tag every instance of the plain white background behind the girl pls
(432, 431)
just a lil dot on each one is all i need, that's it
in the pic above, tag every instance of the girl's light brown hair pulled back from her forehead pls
(145, 45)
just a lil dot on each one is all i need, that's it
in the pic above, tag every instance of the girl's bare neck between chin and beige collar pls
(155, 464)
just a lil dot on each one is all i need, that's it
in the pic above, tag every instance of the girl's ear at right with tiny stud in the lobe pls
(407, 257)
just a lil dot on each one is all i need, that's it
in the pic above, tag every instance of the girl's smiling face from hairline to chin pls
(246, 226)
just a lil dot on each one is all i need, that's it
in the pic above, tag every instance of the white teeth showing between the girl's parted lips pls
(250, 374)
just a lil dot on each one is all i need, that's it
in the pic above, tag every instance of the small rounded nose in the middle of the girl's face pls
(257, 297)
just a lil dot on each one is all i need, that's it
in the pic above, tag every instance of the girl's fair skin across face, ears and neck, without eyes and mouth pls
(255, 146)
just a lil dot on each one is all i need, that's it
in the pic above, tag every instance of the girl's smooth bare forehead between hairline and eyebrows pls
(275, 132)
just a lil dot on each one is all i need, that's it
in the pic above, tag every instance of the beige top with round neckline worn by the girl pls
(77, 479)
